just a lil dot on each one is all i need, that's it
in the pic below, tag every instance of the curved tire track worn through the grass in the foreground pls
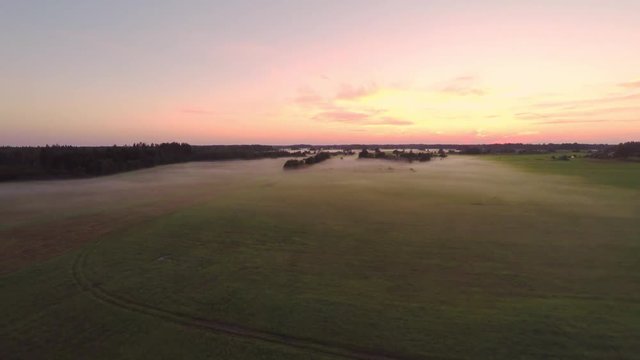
(327, 348)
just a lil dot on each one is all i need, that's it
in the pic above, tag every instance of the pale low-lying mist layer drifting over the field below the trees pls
(189, 181)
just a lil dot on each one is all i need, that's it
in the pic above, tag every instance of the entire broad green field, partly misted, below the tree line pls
(515, 257)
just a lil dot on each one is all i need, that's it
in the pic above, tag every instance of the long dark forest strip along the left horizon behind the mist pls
(72, 161)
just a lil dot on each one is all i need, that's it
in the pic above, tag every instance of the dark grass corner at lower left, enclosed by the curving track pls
(57, 320)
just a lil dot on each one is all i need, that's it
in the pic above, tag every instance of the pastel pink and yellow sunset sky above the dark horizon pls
(319, 72)
